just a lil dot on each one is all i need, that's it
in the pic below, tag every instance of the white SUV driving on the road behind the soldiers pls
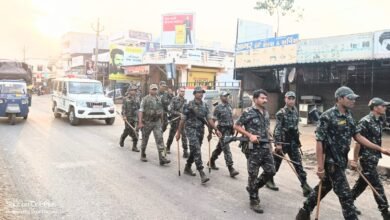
(81, 99)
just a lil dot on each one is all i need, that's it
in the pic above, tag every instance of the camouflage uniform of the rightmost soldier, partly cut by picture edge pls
(371, 128)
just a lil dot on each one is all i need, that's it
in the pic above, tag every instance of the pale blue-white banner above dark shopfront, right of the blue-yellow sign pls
(338, 48)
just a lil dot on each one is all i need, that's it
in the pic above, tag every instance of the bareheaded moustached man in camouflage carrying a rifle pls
(254, 123)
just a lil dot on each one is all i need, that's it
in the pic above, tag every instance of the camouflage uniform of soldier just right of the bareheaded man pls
(286, 130)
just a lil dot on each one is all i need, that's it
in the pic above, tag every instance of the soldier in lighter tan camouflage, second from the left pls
(149, 118)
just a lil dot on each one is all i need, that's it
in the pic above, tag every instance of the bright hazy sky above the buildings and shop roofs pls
(39, 24)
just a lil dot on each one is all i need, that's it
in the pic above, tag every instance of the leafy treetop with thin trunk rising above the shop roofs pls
(280, 7)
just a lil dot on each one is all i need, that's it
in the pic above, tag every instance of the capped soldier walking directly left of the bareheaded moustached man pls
(223, 114)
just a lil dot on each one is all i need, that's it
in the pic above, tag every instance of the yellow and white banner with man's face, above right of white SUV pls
(123, 56)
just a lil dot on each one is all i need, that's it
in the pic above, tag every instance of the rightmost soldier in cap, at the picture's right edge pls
(371, 127)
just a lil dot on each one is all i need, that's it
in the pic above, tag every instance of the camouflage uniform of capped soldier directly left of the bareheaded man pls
(223, 114)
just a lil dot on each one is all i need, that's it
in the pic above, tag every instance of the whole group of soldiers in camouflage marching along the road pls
(334, 131)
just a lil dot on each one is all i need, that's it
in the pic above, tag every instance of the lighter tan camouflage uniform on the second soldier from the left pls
(152, 109)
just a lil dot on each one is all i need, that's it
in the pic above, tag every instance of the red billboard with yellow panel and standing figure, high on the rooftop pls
(178, 31)
